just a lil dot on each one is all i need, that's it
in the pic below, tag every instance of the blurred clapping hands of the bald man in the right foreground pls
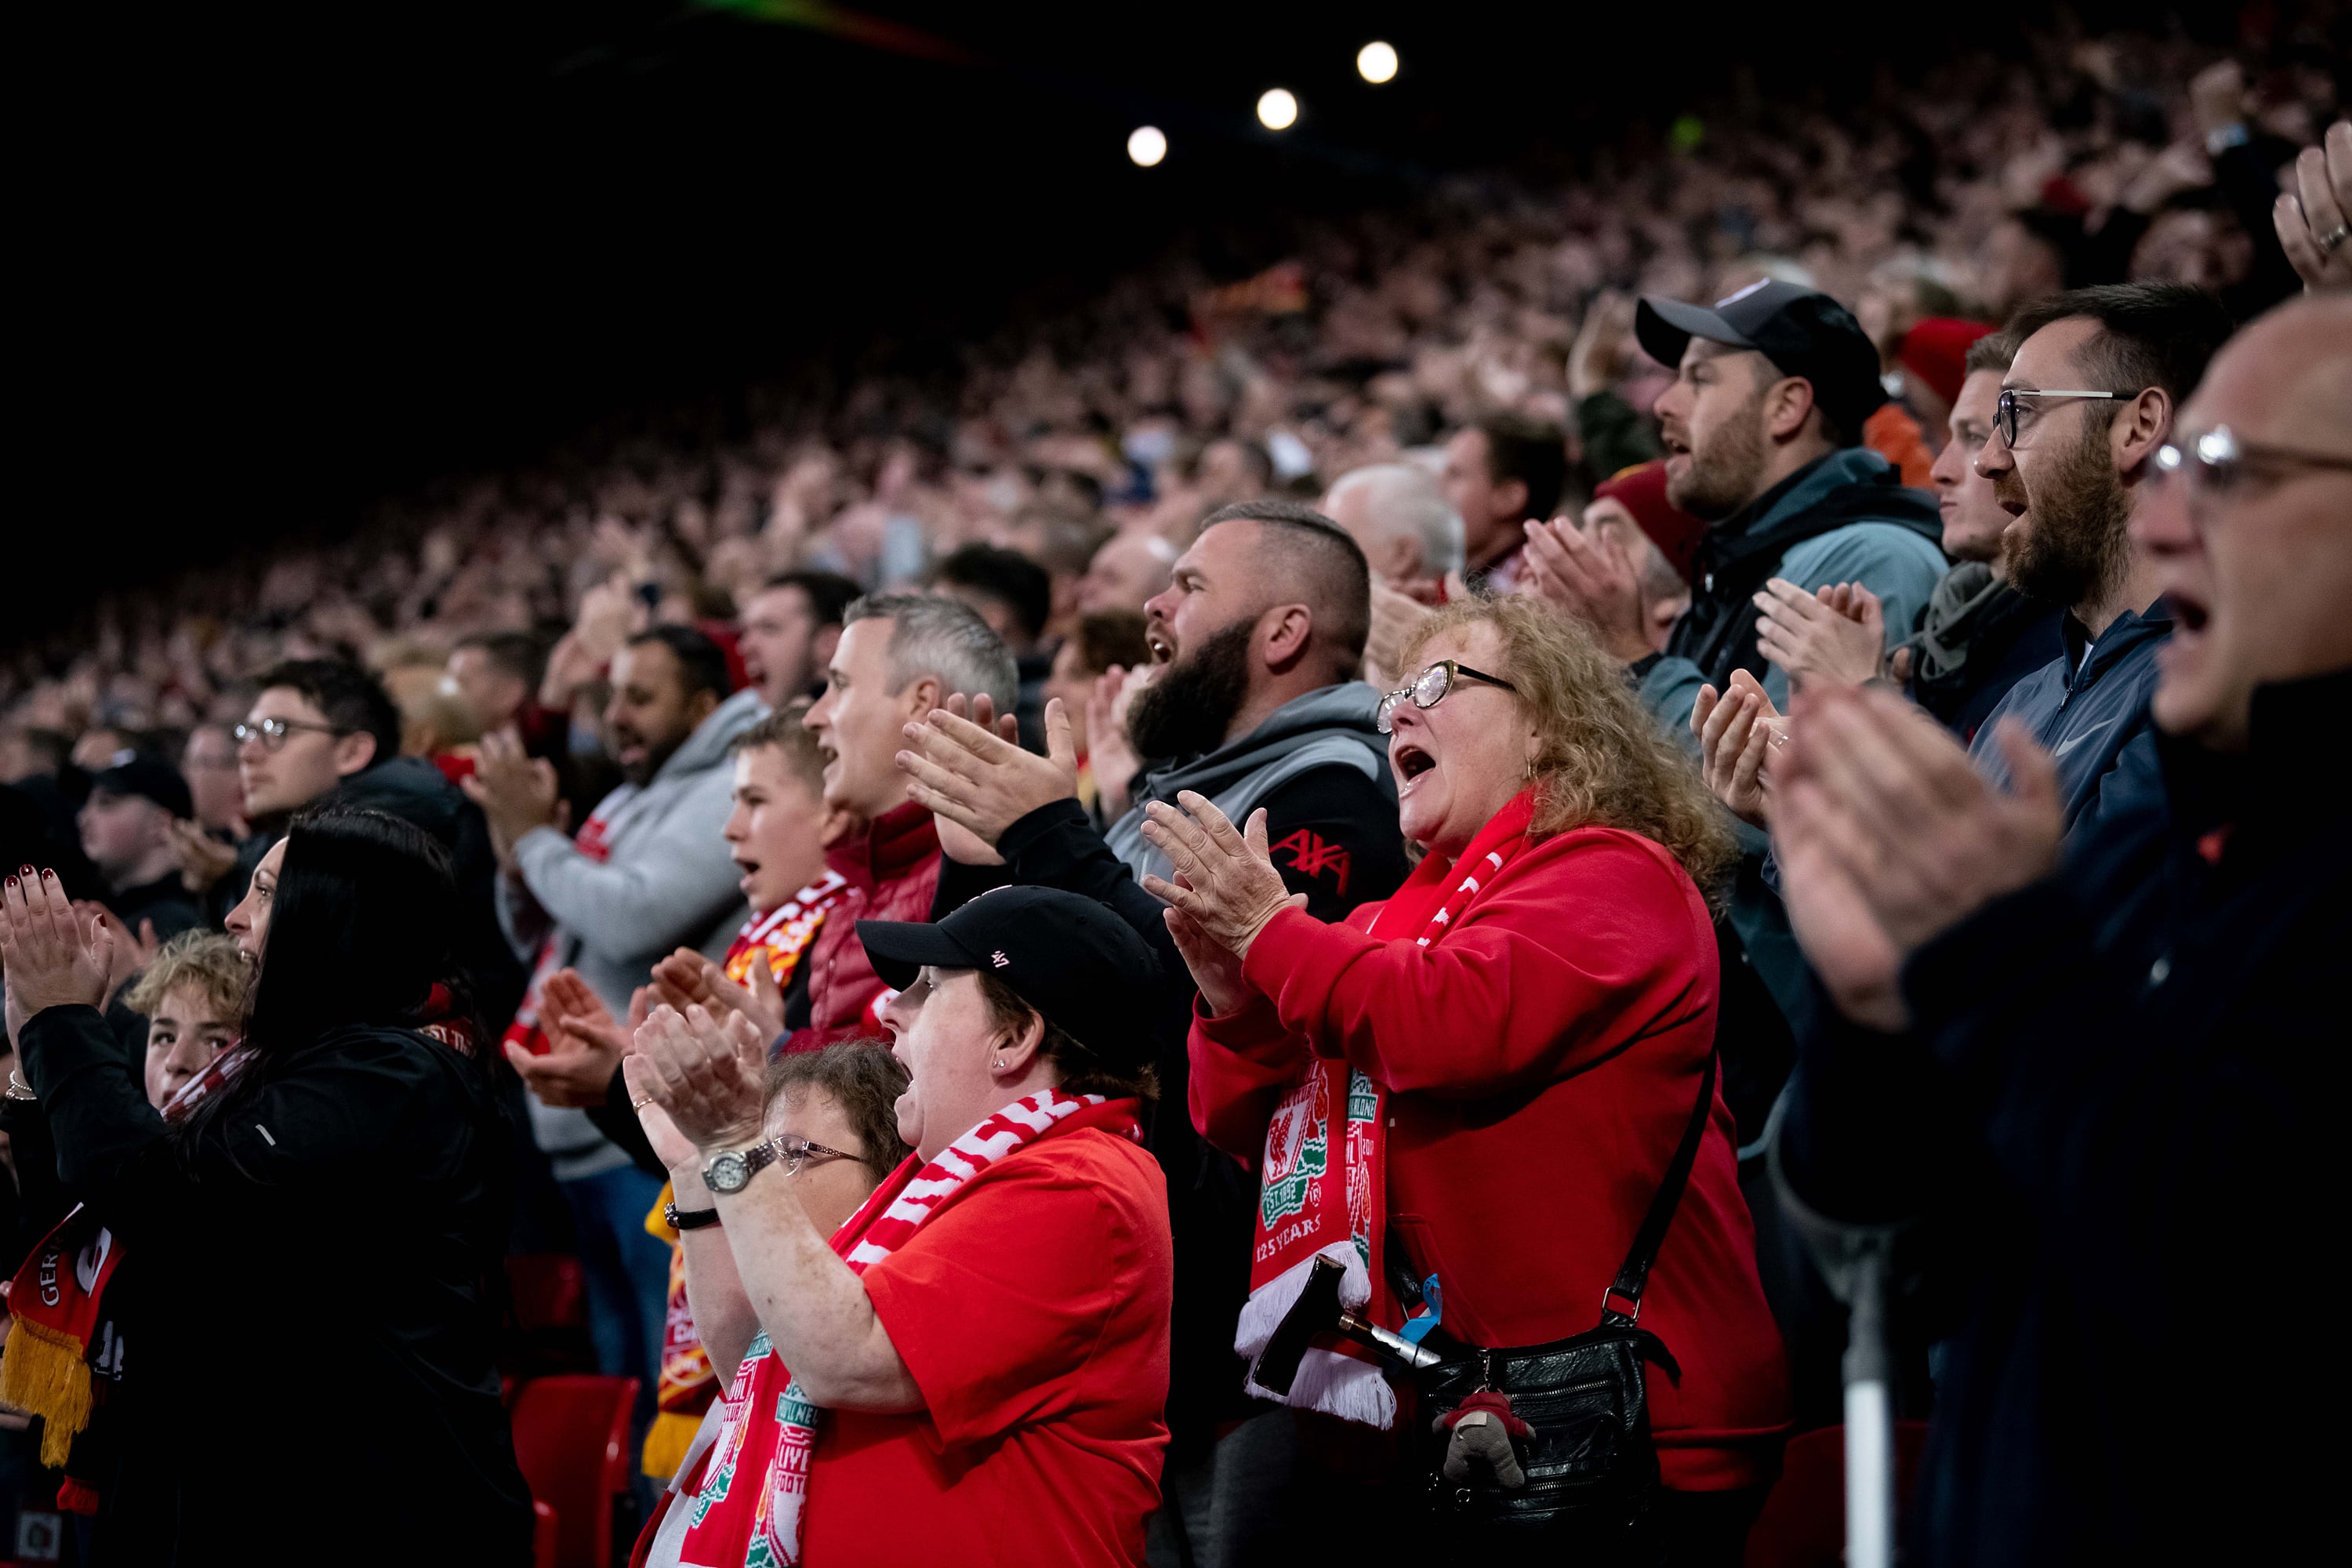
(1887, 838)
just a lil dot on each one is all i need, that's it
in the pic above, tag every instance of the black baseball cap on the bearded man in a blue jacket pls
(1800, 330)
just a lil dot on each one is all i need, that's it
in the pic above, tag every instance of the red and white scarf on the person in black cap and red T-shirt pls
(754, 1482)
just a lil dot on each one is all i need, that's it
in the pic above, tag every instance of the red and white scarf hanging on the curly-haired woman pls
(1323, 1181)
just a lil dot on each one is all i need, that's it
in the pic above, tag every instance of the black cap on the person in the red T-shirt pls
(1062, 953)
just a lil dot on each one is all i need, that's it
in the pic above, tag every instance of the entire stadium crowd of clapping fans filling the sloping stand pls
(1342, 899)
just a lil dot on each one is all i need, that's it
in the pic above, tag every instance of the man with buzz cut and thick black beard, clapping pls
(1257, 706)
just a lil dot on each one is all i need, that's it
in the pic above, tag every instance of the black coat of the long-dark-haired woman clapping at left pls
(316, 1341)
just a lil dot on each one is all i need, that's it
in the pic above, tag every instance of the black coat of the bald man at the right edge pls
(2123, 1113)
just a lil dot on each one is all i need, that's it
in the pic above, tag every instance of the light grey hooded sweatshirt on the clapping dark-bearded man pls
(667, 883)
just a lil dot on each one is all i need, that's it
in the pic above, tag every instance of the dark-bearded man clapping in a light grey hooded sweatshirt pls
(648, 873)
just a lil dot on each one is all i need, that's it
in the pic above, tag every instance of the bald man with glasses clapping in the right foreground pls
(2144, 1045)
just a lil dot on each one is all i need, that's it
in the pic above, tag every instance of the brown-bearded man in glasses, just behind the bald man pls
(2083, 413)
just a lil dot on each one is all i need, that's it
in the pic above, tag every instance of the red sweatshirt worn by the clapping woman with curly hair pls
(1542, 1061)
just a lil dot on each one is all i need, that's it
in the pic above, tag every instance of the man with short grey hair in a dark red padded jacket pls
(900, 659)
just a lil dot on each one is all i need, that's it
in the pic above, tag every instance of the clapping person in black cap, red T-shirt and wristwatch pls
(975, 1367)
